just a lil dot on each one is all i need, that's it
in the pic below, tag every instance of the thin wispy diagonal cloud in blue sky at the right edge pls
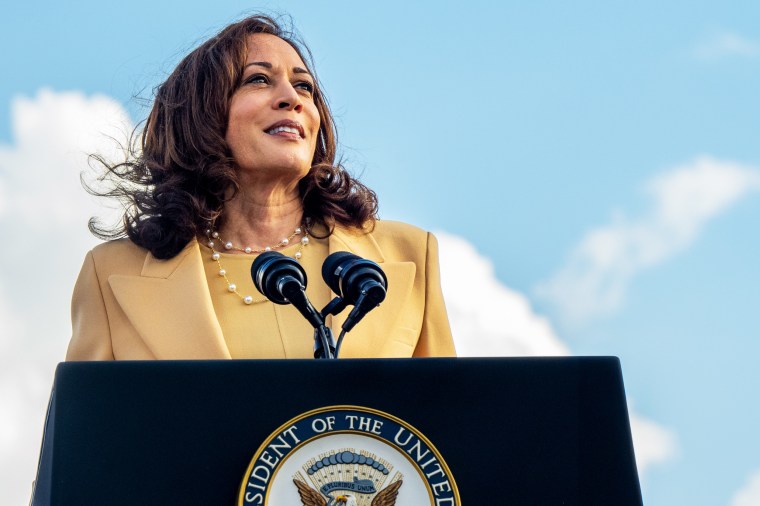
(596, 278)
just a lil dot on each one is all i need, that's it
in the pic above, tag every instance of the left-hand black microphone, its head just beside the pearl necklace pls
(283, 281)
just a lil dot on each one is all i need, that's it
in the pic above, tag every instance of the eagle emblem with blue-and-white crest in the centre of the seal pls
(348, 478)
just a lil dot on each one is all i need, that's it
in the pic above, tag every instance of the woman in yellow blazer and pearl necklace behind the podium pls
(238, 157)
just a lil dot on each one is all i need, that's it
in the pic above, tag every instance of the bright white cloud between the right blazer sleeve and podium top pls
(488, 318)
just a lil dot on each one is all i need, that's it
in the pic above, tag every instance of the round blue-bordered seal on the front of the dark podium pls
(347, 456)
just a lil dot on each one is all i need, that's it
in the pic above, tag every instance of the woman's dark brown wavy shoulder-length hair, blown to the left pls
(177, 180)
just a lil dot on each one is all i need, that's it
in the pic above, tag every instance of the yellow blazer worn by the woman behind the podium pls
(128, 305)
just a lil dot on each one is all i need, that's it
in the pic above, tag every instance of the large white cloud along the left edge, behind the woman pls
(43, 213)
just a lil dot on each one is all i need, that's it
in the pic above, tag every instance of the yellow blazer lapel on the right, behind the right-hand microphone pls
(369, 337)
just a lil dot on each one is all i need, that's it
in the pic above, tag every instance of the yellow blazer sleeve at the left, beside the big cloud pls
(91, 335)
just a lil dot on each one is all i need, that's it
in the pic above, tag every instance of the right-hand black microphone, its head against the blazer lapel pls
(356, 281)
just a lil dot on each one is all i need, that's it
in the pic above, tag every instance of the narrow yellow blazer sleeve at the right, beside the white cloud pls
(435, 337)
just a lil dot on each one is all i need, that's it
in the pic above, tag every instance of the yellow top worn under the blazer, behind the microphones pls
(253, 330)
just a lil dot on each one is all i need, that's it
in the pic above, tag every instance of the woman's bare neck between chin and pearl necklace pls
(261, 219)
